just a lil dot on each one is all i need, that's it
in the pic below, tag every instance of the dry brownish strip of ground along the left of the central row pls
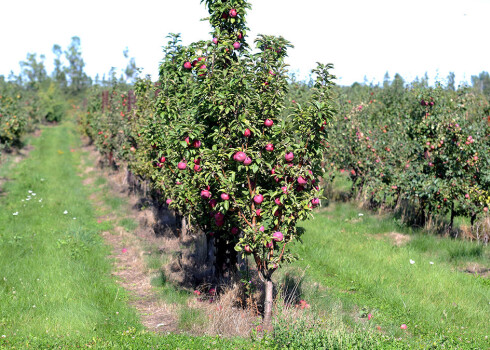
(127, 247)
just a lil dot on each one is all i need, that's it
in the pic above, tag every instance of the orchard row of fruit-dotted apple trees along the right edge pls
(425, 147)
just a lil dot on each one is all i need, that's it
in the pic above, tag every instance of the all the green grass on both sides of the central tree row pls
(56, 289)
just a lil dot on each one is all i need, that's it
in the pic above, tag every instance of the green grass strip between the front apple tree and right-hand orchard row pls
(352, 262)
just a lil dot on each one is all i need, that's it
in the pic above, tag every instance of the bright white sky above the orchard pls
(363, 39)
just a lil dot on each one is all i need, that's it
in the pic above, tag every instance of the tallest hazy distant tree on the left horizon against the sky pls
(77, 79)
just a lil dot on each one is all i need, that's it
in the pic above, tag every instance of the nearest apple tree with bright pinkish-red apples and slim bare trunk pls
(230, 160)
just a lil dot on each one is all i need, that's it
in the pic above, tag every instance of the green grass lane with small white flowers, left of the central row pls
(56, 289)
